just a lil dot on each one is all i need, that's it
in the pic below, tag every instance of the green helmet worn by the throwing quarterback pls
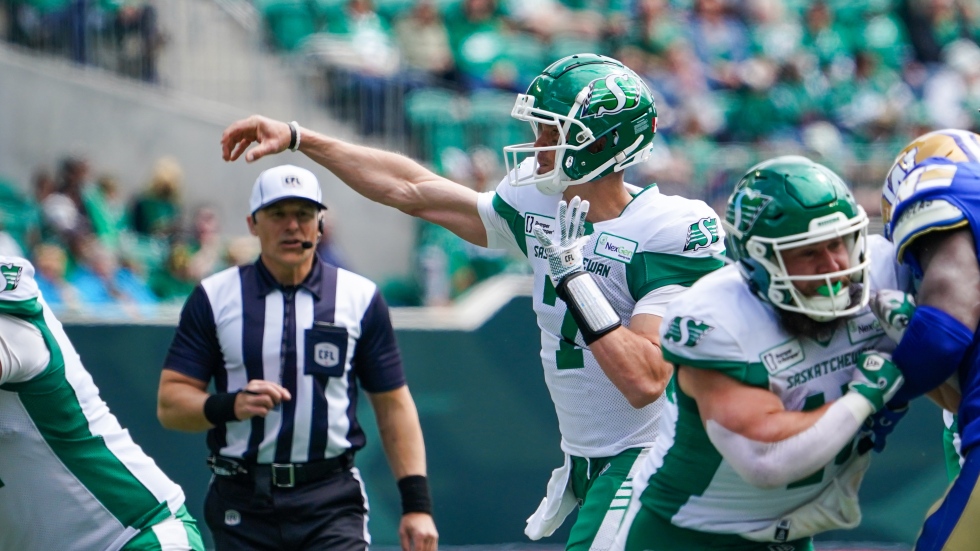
(605, 115)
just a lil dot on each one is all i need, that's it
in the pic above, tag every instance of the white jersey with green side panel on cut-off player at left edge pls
(70, 476)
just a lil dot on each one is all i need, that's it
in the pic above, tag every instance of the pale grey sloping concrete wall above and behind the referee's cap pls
(49, 108)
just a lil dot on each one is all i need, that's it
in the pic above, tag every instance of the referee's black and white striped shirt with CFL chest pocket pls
(317, 339)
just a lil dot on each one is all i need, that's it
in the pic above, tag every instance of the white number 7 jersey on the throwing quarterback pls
(656, 248)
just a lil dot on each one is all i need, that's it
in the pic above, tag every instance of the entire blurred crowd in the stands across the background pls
(845, 82)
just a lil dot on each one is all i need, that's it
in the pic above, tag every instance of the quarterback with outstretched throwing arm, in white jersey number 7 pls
(592, 118)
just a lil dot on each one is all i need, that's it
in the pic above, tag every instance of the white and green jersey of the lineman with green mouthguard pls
(720, 324)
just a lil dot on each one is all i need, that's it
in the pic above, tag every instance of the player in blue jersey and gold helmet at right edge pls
(931, 210)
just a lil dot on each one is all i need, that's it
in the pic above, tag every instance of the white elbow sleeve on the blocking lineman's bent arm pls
(776, 464)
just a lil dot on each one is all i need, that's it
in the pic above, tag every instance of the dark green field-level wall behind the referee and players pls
(490, 431)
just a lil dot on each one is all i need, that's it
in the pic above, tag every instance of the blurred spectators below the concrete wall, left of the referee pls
(101, 254)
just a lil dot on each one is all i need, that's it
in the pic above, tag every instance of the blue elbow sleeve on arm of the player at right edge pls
(930, 352)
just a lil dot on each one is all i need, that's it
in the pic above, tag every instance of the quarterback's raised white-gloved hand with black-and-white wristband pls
(593, 314)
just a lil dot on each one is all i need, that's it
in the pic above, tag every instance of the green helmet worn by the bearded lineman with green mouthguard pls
(791, 202)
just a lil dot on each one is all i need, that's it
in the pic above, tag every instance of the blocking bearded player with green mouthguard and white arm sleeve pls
(778, 369)
